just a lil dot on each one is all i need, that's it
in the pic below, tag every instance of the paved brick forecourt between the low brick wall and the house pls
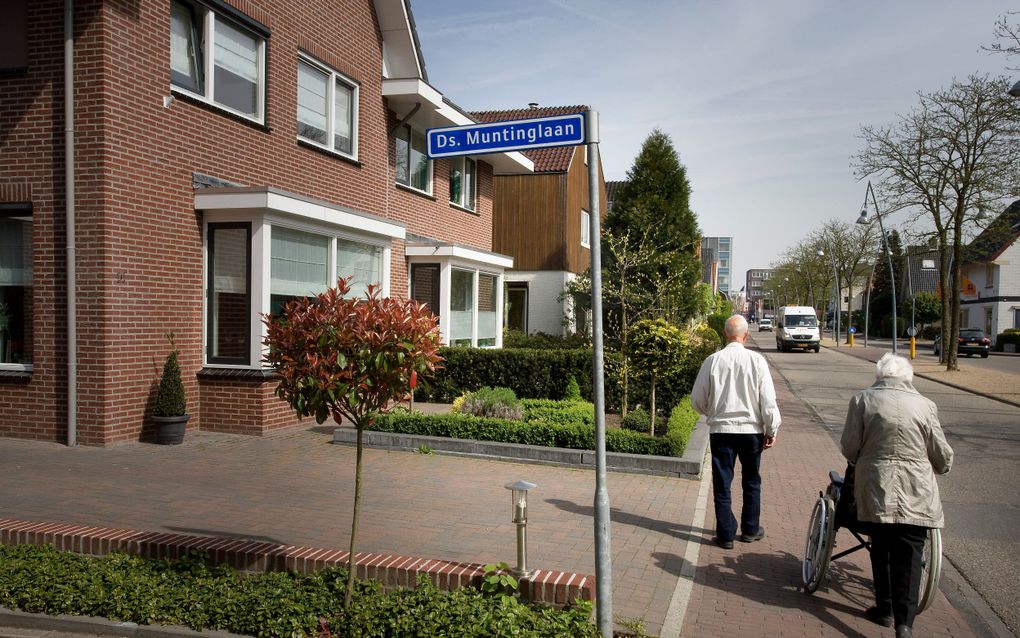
(293, 489)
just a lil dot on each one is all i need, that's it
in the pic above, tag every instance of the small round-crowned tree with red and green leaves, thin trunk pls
(349, 359)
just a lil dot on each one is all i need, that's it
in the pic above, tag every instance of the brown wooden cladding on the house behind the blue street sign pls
(537, 218)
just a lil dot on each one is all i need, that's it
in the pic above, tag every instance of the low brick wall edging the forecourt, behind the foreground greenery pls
(555, 588)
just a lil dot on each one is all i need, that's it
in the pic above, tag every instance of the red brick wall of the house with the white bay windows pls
(139, 238)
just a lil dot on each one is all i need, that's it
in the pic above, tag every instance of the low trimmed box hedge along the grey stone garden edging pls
(545, 433)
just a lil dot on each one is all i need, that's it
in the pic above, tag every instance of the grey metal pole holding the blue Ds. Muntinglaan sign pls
(603, 556)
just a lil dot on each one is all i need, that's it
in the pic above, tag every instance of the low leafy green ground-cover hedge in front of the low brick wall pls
(128, 588)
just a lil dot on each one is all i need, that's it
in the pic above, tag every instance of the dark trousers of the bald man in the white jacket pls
(727, 449)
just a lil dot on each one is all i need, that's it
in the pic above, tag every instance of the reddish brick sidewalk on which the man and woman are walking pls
(755, 590)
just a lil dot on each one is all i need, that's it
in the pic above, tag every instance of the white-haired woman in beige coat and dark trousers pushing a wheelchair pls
(894, 438)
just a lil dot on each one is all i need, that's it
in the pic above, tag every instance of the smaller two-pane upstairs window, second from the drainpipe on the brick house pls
(328, 106)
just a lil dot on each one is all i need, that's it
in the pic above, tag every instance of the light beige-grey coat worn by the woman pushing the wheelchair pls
(894, 438)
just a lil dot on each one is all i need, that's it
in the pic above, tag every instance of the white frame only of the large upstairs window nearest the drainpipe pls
(207, 20)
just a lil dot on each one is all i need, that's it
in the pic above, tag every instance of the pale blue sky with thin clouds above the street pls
(763, 100)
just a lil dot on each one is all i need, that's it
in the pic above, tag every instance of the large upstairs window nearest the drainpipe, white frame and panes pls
(218, 61)
